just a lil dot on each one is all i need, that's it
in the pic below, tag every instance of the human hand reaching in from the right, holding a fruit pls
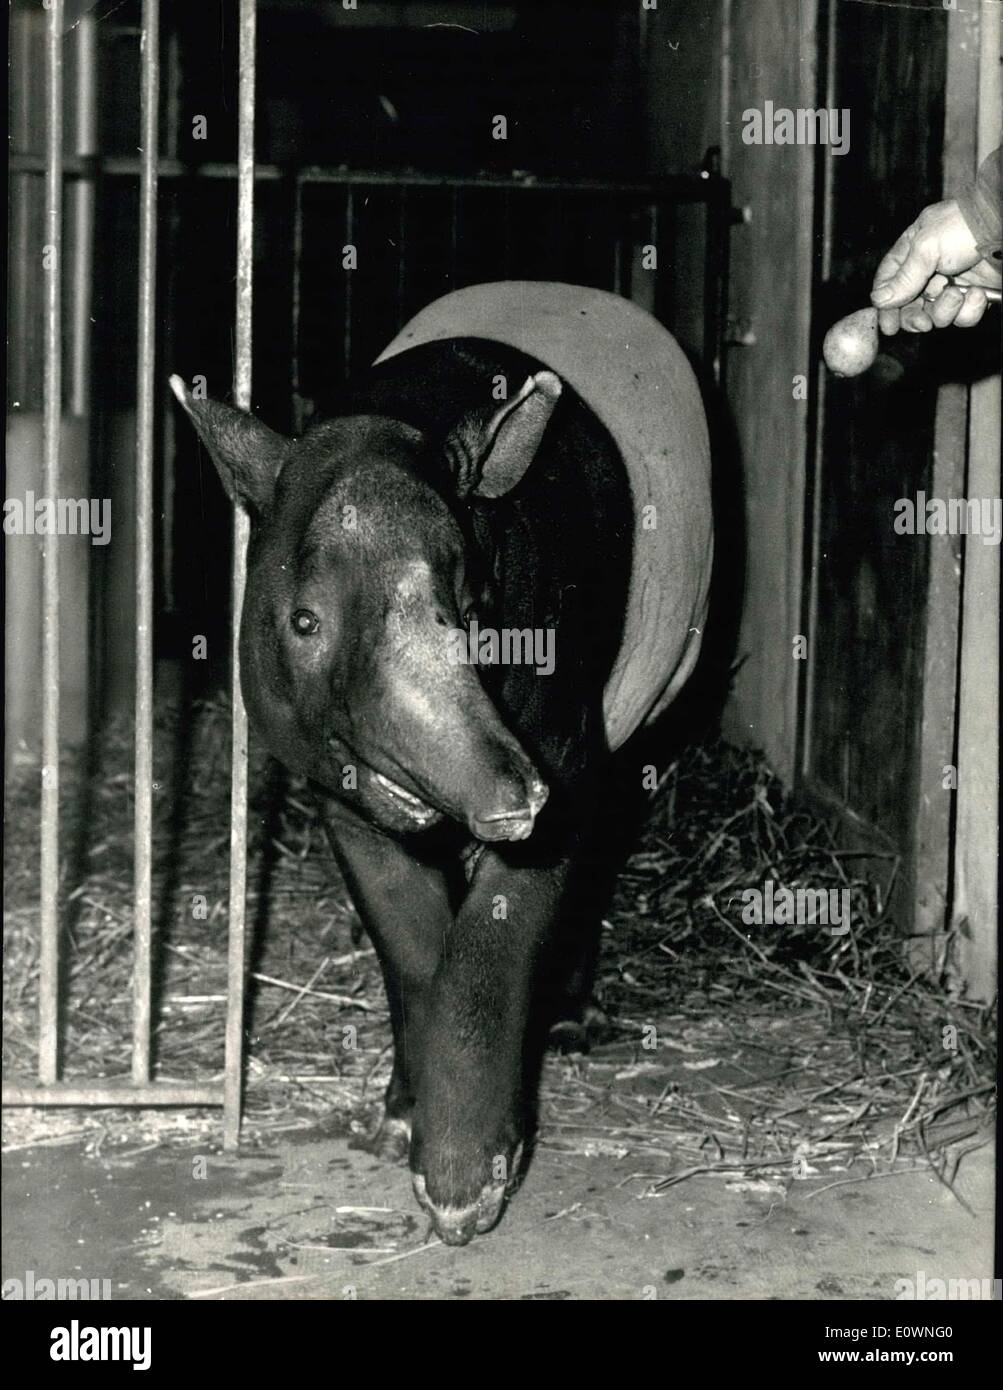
(911, 287)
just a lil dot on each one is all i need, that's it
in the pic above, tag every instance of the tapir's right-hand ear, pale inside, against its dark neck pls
(490, 451)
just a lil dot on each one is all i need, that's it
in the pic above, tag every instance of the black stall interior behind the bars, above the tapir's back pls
(394, 91)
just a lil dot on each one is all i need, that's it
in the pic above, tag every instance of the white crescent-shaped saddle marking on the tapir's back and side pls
(634, 376)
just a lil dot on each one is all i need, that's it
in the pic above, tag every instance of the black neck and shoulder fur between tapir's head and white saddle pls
(555, 553)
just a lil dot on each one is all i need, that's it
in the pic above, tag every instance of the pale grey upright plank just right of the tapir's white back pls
(772, 56)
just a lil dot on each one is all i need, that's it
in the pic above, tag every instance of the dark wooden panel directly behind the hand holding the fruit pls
(877, 433)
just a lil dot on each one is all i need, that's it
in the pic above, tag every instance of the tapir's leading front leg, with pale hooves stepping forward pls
(469, 1115)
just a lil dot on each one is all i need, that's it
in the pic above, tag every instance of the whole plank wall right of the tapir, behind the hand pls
(876, 715)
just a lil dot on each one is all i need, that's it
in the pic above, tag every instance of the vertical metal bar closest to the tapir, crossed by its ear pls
(242, 391)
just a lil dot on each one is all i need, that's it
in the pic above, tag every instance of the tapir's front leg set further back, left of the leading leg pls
(405, 908)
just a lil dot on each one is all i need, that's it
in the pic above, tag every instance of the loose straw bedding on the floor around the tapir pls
(762, 1054)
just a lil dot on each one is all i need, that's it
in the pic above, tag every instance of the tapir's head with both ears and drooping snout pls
(358, 587)
